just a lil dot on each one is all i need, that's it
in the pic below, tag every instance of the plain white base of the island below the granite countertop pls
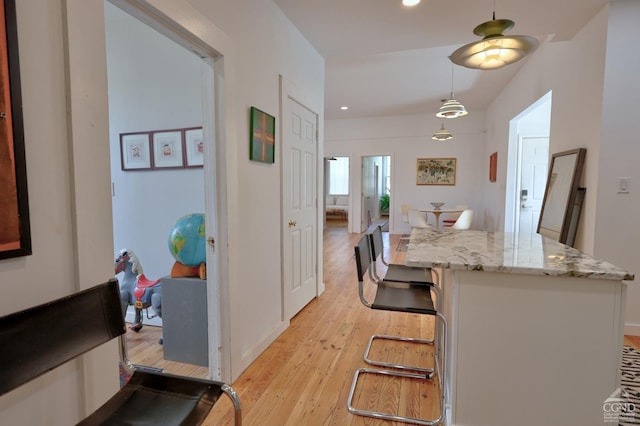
(532, 350)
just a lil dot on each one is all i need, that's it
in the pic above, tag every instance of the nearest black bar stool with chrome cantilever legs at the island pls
(408, 298)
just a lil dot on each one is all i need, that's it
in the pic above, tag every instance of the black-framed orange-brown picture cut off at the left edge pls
(15, 230)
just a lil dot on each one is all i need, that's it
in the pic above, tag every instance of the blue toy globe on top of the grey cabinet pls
(187, 240)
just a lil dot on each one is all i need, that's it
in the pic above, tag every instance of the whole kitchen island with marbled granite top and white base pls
(535, 327)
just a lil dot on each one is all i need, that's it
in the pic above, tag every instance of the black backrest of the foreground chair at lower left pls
(41, 338)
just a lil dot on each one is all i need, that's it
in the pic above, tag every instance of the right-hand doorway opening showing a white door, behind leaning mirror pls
(528, 160)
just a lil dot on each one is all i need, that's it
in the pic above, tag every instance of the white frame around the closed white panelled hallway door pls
(289, 90)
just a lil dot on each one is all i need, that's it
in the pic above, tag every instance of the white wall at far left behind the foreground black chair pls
(66, 138)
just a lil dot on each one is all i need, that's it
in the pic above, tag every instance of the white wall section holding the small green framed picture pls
(266, 45)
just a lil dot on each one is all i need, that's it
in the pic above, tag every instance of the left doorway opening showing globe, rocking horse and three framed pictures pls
(161, 92)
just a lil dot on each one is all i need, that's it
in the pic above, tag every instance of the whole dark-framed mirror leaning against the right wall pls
(559, 215)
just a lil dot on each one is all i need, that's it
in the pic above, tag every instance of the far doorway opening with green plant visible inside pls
(376, 191)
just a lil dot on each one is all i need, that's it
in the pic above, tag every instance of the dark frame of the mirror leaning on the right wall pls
(579, 155)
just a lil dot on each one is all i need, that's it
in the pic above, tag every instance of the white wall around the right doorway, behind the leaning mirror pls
(573, 71)
